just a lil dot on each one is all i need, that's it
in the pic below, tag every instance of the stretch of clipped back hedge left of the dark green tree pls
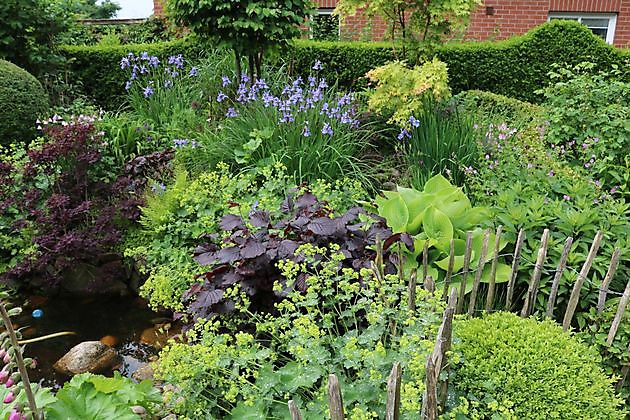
(97, 68)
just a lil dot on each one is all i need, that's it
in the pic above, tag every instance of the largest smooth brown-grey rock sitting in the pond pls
(89, 356)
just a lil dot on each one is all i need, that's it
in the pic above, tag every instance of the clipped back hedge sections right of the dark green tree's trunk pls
(516, 67)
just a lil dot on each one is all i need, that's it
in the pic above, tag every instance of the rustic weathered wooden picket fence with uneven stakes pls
(434, 396)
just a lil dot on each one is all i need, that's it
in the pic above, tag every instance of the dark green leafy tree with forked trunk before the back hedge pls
(249, 27)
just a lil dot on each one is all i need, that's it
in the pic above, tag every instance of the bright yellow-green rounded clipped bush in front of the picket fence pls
(510, 368)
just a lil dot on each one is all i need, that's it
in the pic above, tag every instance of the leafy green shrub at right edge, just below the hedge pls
(589, 125)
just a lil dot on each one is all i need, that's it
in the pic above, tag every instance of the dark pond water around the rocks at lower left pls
(127, 324)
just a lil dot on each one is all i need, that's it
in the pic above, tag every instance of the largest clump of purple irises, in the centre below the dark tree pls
(310, 127)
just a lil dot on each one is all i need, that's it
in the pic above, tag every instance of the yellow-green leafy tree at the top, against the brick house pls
(424, 21)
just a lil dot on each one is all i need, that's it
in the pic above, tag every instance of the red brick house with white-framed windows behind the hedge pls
(495, 19)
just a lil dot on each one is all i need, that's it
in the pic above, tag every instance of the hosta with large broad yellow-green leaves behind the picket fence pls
(435, 216)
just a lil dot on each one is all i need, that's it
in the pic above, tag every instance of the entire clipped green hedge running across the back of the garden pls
(516, 67)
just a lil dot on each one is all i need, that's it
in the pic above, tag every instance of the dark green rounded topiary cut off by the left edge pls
(22, 101)
